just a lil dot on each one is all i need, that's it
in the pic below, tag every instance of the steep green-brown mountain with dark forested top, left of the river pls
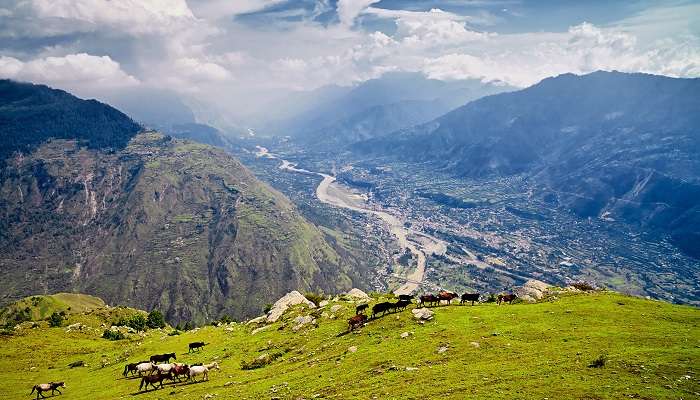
(142, 219)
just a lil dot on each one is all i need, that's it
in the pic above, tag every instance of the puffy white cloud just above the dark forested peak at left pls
(73, 71)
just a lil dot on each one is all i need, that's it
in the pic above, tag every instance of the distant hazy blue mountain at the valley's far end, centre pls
(339, 116)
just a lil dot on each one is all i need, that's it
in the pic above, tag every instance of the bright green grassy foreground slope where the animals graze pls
(525, 351)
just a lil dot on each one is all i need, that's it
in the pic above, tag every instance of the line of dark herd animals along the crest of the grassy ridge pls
(426, 300)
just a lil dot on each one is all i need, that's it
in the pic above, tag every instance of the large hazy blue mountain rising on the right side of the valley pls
(606, 144)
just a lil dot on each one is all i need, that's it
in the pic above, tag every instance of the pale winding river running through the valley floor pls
(331, 192)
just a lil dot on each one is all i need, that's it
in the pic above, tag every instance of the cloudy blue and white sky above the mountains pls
(237, 56)
